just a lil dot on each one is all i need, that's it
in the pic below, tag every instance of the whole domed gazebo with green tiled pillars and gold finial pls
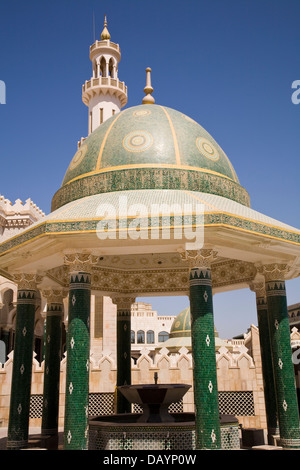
(149, 205)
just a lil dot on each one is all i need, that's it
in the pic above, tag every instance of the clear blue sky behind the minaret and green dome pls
(228, 64)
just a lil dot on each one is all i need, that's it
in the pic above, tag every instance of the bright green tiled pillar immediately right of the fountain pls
(208, 435)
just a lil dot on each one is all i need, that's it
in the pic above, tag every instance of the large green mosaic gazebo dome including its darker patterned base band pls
(149, 147)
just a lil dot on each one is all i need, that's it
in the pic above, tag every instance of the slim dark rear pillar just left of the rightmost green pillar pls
(266, 358)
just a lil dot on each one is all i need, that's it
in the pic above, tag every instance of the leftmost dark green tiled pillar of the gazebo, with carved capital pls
(18, 427)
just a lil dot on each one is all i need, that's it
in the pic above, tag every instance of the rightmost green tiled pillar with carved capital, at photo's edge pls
(285, 386)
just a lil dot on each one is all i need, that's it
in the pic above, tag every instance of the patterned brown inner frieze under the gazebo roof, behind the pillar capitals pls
(171, 277)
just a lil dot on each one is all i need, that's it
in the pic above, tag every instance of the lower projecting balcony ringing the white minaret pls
(104, 85)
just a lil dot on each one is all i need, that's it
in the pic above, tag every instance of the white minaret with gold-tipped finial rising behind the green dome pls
(104, 93)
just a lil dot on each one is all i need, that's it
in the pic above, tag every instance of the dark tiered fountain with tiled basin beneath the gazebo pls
(156, 428)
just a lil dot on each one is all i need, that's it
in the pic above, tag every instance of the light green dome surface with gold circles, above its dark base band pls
(149, 135)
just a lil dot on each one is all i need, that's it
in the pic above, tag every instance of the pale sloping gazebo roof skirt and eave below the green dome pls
(237, 231)
